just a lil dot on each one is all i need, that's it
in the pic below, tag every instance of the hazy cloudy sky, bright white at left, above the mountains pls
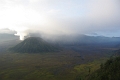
(61, 16)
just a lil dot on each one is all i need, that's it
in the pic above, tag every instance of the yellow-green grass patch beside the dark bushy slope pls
(84, 70)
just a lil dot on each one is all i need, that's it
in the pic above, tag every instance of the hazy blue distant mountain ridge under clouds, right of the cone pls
(84, 39)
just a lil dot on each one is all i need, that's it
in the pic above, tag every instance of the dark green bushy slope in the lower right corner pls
(108, 71)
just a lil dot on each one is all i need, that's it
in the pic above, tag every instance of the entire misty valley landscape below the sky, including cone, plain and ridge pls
(79, 57)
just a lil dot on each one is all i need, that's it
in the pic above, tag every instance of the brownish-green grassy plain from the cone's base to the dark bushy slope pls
(65, 65)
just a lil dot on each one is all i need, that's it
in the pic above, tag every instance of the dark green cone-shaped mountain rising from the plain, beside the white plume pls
(34, 45)
